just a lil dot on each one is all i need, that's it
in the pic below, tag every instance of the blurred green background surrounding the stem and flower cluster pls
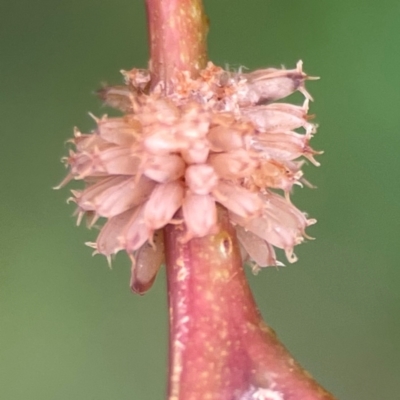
(70, 328)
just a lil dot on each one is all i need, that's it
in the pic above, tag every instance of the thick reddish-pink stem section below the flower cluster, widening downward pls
(219, 346)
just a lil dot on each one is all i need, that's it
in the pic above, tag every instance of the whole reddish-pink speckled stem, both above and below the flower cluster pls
(219, 347)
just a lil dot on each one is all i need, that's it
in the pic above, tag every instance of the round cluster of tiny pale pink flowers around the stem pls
(178, 152)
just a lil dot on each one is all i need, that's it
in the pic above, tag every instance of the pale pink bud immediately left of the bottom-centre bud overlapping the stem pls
(164, 201)
